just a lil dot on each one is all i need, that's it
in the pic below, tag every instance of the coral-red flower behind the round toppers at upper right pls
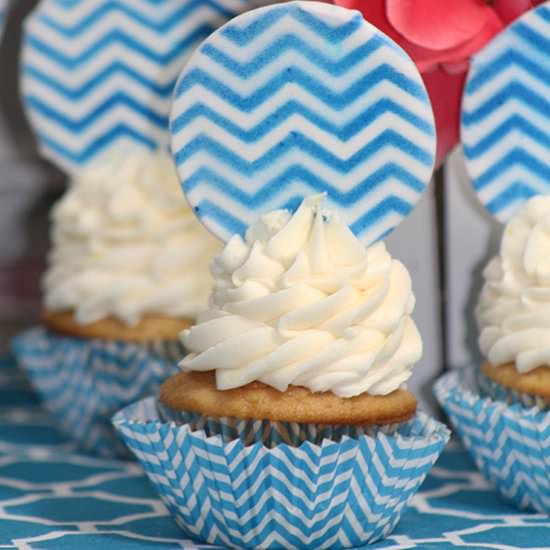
(441, 36)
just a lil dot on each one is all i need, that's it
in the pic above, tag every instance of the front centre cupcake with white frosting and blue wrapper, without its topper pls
(290, 425)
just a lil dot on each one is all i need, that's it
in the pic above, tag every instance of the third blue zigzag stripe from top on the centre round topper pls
(336, 100)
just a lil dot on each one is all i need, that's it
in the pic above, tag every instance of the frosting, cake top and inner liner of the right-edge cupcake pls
(513, 310)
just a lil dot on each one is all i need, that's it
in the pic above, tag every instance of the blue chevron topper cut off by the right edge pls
(506, 116)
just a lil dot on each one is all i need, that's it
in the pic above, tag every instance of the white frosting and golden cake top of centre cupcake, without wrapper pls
(305, 325)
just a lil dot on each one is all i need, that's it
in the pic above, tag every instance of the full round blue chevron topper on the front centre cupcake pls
(296, 99)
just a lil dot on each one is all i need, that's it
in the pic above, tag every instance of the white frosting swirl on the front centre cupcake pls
(301, 302)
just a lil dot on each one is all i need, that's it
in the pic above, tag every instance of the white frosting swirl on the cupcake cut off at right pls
(514, 307)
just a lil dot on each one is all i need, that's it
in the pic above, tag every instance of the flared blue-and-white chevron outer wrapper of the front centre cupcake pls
(337, 494)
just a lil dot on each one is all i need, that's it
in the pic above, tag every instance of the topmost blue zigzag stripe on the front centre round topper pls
(242, 36)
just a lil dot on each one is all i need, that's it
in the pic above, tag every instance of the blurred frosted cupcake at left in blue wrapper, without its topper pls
(128, 270)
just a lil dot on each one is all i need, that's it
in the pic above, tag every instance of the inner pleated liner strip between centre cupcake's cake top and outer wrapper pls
(268, 432)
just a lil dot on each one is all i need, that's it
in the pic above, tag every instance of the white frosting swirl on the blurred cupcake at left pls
(125, 244)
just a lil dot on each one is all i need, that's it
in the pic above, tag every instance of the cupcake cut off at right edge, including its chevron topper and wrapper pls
(500, 408)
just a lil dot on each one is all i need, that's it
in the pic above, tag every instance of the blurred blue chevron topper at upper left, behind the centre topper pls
(98, 74)
